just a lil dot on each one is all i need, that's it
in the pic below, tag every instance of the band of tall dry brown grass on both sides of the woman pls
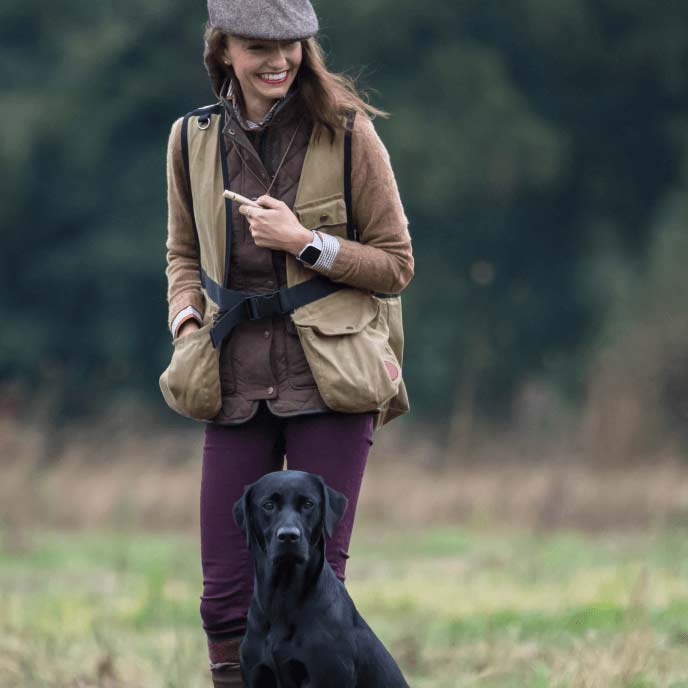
(106, 477)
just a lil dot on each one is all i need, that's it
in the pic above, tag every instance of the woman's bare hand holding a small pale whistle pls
(274, 226)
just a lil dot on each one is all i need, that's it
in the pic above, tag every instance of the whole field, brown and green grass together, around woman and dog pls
(489, 605)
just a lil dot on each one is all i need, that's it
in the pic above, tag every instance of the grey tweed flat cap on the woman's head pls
(274, 20)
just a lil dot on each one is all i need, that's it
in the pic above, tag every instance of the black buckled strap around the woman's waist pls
(238, 306)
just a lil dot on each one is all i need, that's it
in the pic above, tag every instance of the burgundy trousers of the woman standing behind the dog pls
(332, 445)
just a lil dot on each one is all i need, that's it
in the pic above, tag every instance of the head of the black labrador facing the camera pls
(286, 513)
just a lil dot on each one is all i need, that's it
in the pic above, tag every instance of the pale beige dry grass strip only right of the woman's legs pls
(542, 495)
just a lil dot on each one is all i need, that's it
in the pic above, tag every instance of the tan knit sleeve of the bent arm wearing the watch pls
(383, 259)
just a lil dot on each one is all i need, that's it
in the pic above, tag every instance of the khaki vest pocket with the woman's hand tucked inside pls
(191, 383)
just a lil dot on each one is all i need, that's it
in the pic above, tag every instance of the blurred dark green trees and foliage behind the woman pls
(541, 149)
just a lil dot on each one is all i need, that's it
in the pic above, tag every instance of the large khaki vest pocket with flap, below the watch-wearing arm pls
(345, 337)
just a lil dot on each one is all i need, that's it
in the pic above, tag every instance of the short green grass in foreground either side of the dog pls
(457, 607)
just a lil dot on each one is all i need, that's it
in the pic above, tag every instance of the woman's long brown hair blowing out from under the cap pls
(325, 95)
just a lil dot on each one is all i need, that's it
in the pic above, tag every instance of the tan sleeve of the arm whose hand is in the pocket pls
(183, 280)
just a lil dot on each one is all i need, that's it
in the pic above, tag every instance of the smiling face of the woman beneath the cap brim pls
(265, 69)
